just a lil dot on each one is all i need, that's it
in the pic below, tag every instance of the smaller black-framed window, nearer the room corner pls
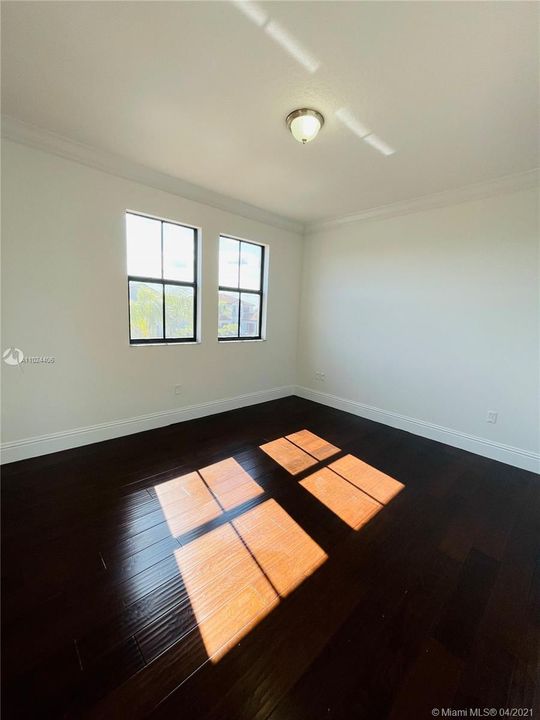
(241, 272)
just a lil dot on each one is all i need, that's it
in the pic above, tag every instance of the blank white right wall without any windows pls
(431, 317)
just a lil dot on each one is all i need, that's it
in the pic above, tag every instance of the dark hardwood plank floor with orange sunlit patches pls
(292, 582)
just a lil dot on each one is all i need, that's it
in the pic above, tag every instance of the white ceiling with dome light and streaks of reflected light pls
(200, 91)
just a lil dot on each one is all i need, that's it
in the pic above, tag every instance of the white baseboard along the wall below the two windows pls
(53, 442)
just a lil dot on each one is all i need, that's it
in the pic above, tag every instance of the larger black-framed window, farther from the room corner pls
(162, 280)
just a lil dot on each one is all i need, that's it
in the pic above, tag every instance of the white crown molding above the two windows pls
(33, 136)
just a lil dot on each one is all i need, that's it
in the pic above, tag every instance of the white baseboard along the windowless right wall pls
(524, 459)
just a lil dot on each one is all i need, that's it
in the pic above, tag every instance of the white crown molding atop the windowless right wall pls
(498, 186)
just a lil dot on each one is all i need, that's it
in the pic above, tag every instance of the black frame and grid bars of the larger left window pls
(163, 282)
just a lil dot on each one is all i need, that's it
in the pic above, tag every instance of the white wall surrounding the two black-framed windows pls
(65, 295)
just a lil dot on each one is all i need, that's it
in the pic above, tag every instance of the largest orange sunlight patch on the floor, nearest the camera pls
(236, 574)
